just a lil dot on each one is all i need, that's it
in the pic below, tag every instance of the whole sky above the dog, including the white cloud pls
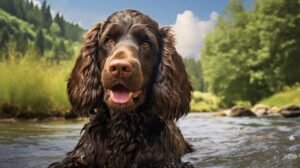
(191, 20)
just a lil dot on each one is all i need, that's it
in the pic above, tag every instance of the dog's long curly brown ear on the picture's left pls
(84, 85)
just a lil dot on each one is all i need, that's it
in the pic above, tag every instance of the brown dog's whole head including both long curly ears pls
(126, 62)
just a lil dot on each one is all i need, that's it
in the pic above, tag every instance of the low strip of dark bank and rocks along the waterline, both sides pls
(11, 113)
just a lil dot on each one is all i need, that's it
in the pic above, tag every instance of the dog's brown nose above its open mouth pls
(120, 68)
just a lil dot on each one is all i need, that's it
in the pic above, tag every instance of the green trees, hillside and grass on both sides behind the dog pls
(252, 53)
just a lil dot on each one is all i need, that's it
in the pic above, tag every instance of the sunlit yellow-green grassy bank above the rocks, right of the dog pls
(288, 97)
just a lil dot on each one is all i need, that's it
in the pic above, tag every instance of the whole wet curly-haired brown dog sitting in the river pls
(141, 132)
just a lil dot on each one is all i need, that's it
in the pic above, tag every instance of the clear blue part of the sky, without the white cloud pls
(88, 12)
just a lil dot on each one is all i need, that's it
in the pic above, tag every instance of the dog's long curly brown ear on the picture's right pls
(172, 88)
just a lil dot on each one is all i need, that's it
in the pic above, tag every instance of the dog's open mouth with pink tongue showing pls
(121, 95)
